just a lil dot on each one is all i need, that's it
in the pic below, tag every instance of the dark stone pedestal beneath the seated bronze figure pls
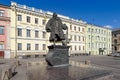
(58, 55)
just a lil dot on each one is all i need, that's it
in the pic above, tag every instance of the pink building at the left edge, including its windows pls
(4, 30)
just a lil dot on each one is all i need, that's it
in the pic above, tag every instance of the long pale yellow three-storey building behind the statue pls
(28, 35)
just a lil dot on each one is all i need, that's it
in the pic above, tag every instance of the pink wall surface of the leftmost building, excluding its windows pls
(4, 21)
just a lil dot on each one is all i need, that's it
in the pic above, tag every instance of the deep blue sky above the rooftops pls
(99, 12)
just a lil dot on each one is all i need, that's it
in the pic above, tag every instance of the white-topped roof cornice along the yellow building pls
(45, 14)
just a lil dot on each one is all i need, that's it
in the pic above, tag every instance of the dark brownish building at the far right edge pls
(116, 40)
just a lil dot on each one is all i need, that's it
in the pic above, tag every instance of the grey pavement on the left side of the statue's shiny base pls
(22, 69)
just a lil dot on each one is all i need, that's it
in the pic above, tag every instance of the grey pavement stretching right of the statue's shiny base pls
(108, 62)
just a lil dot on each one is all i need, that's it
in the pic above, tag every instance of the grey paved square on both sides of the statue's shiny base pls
(107, 62)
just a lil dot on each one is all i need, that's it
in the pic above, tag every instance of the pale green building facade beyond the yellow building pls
(98, 40)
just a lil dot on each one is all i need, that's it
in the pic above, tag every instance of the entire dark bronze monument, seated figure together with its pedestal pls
(58, 54)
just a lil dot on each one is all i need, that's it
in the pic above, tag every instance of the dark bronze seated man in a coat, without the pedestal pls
(55, 26)
